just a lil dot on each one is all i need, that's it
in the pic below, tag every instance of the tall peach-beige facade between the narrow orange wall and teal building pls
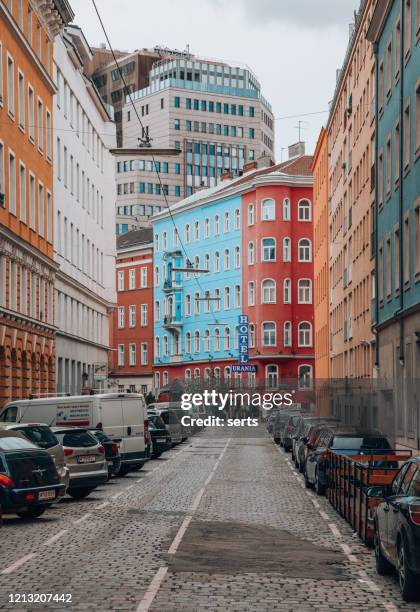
(351, 134)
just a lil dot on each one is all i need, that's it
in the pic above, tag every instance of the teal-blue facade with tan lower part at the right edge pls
(394, 31)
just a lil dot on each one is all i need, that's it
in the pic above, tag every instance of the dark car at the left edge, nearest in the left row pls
(29, 481)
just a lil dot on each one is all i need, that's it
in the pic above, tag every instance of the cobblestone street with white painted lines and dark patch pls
(218, 523)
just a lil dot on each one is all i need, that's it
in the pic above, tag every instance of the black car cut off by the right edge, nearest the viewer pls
(397, 530)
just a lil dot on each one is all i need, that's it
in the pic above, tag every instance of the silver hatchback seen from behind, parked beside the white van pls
(85, 458)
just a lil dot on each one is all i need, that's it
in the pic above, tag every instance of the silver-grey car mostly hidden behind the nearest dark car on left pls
(41, 435)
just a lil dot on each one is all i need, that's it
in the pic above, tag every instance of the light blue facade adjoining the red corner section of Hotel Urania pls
(196, 314)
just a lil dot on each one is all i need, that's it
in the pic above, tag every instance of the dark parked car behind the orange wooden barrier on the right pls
(342, 440)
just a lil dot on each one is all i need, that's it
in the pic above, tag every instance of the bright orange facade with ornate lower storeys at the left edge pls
(27, 269)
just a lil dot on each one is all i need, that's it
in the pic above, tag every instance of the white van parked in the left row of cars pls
(121, 416)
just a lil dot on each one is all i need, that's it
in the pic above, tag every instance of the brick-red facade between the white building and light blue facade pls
(132, 322)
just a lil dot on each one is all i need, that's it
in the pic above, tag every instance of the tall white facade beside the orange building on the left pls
(84, 240)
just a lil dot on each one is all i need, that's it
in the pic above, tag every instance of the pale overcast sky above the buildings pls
(293, 46)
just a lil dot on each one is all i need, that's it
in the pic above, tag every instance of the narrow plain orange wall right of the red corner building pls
(321, 256)
